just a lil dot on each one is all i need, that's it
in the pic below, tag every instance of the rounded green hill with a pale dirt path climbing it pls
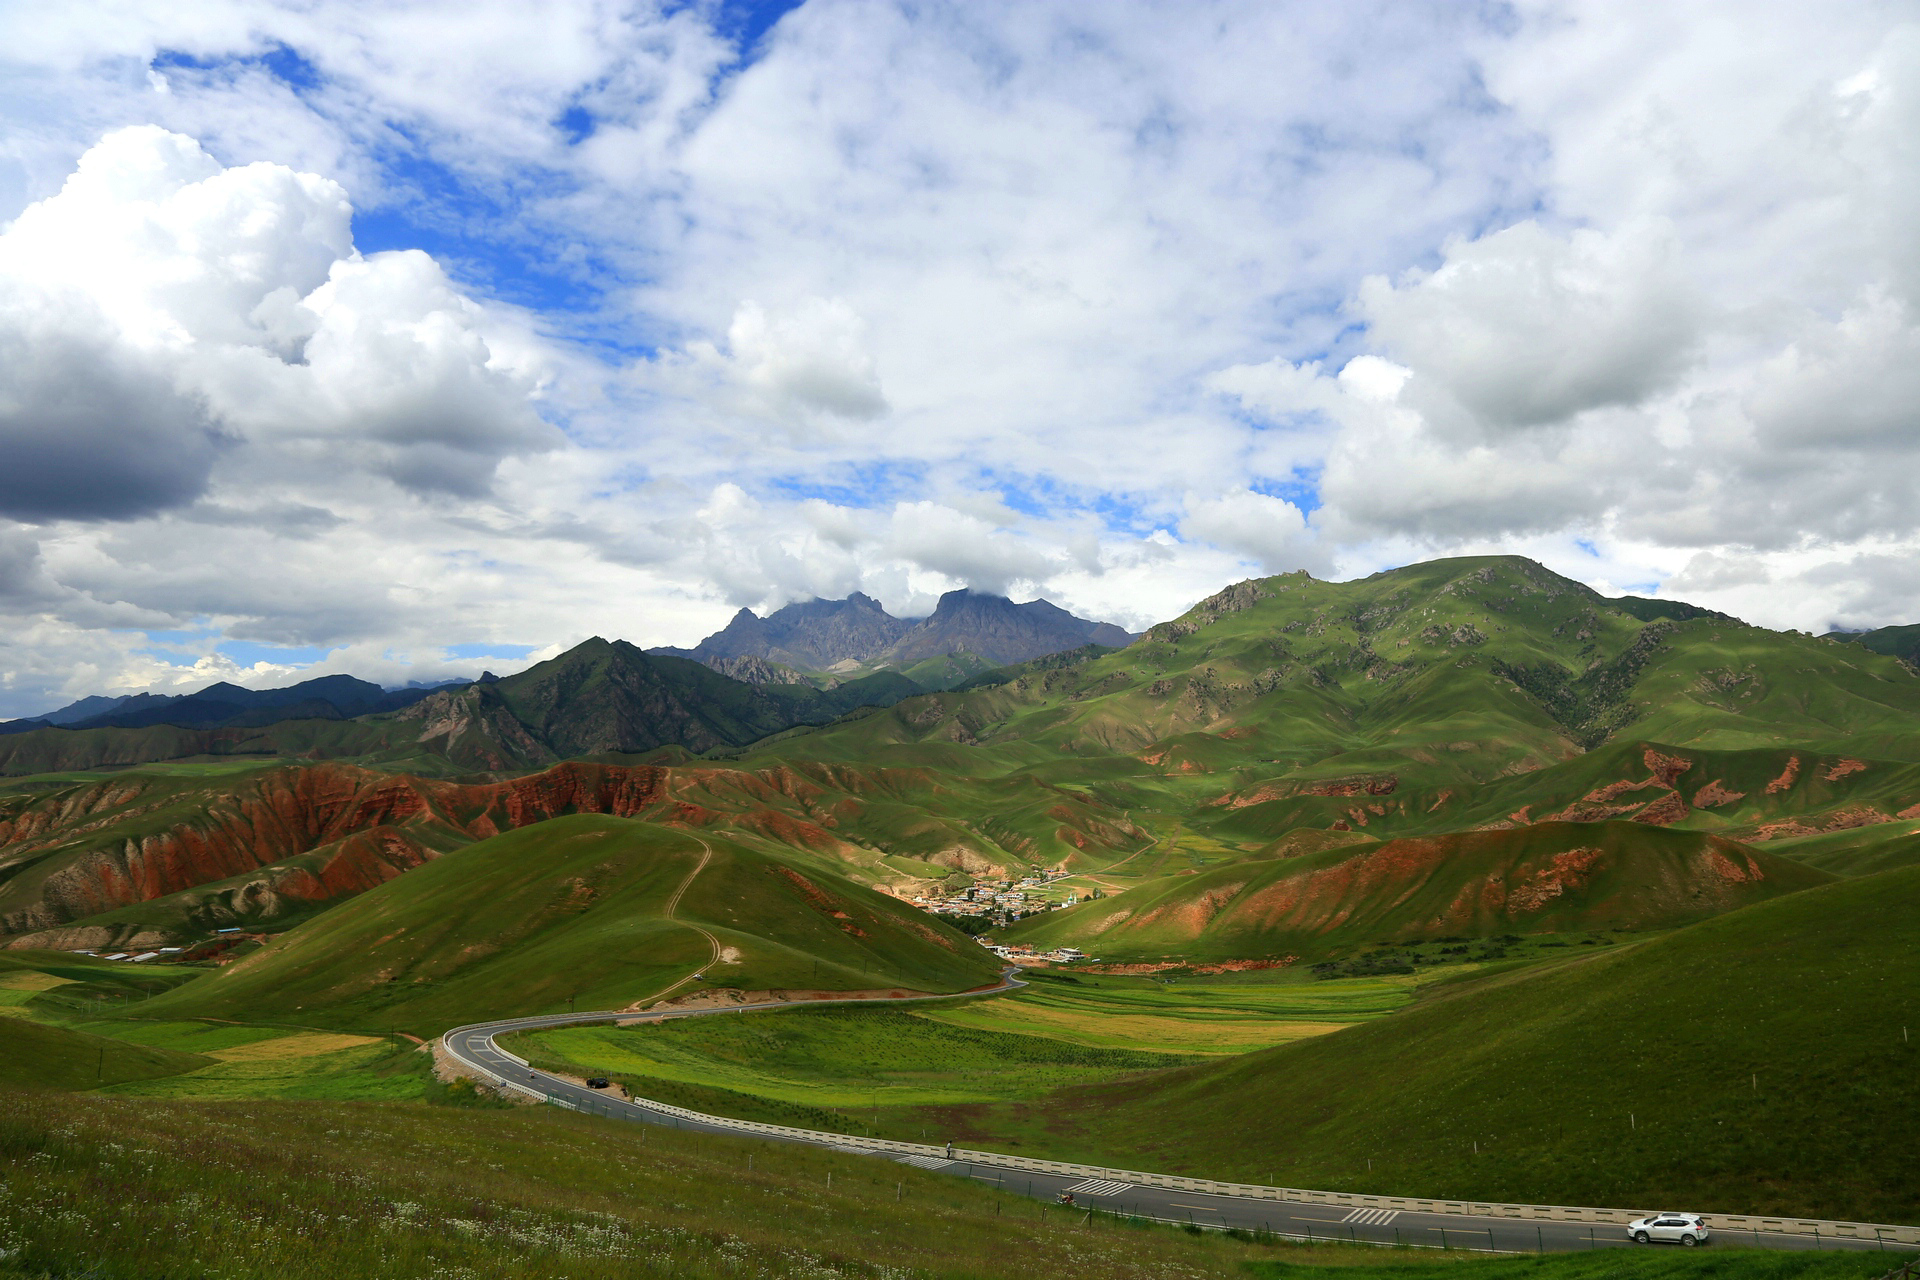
(575, 909)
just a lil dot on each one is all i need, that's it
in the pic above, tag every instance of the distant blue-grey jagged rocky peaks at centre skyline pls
(857, 634)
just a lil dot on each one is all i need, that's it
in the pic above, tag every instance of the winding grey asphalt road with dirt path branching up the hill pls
(477, 1049)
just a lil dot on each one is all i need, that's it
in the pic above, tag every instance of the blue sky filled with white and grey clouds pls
(414, 339)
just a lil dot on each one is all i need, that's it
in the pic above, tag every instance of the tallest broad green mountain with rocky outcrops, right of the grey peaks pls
(1451, 673)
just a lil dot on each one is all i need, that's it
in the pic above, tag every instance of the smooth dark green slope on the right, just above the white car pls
(1760, 1062)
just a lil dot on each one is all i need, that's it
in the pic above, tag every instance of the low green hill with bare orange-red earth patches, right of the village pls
(1548, 878)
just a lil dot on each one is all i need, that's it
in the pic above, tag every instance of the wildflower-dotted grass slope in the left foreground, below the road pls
(295, 1191)
